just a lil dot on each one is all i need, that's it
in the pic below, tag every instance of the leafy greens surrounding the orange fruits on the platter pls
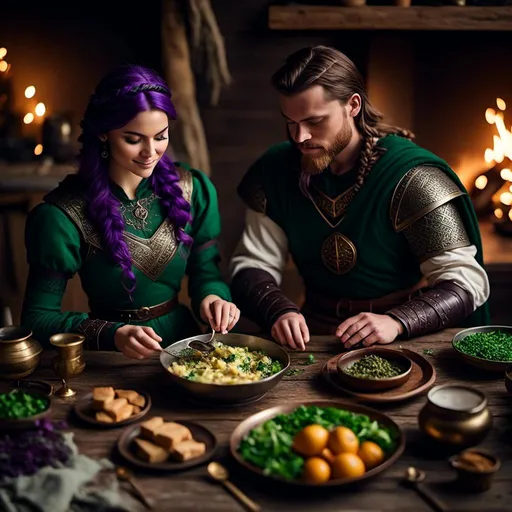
(269, 446)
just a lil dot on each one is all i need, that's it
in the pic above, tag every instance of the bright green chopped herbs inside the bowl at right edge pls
(493, 346)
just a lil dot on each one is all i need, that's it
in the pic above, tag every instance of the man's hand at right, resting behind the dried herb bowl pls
(368, 328)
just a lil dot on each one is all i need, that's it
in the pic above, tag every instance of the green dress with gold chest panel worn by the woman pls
(61, 241)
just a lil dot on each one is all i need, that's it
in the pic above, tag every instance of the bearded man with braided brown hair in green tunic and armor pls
(382, 231)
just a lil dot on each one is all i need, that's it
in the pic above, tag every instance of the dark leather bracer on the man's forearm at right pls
(444, 305)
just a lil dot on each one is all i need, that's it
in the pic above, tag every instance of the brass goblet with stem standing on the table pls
(69, 361)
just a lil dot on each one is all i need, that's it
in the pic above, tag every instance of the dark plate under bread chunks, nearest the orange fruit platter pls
(126, 447)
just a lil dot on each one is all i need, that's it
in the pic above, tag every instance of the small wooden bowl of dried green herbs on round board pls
(374, 369)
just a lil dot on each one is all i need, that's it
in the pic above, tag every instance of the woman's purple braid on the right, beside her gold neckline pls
(165, 185)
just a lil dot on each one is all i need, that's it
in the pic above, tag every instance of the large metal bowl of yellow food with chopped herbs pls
(224, 376)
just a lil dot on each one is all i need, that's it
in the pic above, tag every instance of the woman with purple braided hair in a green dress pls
(132, 224)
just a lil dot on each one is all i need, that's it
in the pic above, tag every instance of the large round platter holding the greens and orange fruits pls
(257, 419)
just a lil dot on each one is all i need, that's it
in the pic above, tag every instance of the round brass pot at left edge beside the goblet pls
(19, 352)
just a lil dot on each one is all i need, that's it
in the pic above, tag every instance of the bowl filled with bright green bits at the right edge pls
(487, 347)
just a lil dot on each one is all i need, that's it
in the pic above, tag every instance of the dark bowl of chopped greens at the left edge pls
(22, 409)
